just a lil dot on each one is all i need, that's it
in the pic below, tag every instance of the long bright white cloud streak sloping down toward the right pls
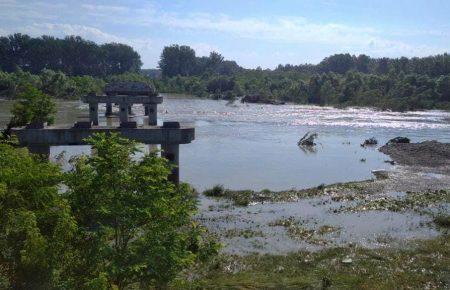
(298, 30)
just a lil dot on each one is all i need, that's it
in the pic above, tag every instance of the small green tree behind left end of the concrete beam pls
(33, 106)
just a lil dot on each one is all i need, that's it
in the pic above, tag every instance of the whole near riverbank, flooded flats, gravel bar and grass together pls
(378, 234)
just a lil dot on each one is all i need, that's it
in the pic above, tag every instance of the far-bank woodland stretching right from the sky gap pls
(340, 80)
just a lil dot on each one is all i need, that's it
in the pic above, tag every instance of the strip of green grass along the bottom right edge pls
(419, 265)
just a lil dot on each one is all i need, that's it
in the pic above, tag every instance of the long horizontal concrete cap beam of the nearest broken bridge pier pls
(64, 135)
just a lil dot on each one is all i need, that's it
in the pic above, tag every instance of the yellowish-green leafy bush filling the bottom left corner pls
(36, 225)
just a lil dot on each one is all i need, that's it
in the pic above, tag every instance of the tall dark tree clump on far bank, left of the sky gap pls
(72, 55)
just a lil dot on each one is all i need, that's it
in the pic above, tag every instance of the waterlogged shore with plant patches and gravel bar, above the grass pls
(385, 212)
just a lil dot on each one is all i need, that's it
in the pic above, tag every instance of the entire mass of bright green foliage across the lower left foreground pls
(113, 221)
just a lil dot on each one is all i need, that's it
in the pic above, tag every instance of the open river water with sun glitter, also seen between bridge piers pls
(255, 146)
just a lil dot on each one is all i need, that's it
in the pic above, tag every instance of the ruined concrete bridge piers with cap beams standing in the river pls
(38, 139)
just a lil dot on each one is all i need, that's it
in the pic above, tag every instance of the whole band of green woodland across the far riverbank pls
(76, 67)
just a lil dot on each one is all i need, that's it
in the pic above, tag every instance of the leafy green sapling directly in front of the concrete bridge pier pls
(134, 224)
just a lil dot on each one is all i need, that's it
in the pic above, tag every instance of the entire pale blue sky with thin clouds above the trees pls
(253, 33)
